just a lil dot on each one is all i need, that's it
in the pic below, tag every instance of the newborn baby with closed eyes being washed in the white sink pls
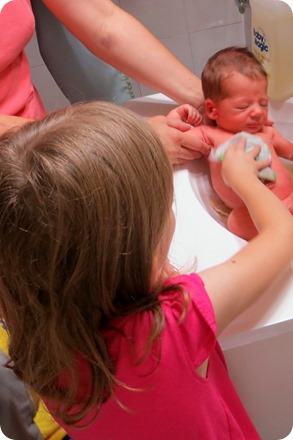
(235, 89)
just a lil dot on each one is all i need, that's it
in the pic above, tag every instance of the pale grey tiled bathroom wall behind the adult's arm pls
(191, 29)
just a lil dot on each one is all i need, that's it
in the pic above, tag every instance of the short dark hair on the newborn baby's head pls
(223, 63)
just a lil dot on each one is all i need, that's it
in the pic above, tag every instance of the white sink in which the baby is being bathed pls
(258, 345)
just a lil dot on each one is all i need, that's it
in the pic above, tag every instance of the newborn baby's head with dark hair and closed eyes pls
(235, 88)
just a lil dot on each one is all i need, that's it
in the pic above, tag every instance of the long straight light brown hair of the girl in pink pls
(85, 194)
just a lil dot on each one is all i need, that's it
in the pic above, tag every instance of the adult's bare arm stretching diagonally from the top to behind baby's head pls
(119, 39)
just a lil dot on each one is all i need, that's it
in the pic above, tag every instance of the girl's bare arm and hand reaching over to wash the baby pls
(235, 284)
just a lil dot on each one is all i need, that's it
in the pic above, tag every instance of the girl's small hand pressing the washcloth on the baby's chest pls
(239, 168)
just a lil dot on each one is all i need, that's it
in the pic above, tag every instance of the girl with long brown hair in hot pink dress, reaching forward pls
(117, 343)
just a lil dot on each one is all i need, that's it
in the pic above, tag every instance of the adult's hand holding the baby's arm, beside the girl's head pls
(179, 149)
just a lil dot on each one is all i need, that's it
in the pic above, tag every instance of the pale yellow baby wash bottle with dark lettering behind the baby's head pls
(272, 44)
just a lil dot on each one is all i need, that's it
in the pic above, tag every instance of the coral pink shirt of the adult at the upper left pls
(18, 96)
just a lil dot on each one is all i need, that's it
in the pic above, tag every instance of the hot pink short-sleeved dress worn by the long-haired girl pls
(176, 403)
